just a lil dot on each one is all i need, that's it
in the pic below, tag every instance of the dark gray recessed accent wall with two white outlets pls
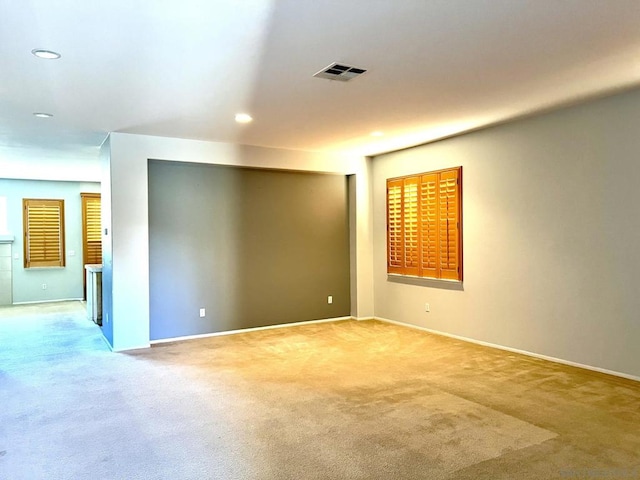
(252, 247)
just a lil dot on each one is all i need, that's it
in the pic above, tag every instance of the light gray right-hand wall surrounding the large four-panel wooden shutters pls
(551, 224)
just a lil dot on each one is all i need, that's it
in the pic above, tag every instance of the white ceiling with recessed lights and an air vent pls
(184, 68)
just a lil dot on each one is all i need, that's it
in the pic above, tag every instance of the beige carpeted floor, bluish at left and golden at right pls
(342, 400)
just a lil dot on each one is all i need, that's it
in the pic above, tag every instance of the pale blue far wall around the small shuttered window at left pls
(62, 283)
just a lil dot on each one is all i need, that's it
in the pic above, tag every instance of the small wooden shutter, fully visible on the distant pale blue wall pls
(43, 229)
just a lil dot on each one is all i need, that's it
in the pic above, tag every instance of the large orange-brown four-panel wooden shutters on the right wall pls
(424, 235)
